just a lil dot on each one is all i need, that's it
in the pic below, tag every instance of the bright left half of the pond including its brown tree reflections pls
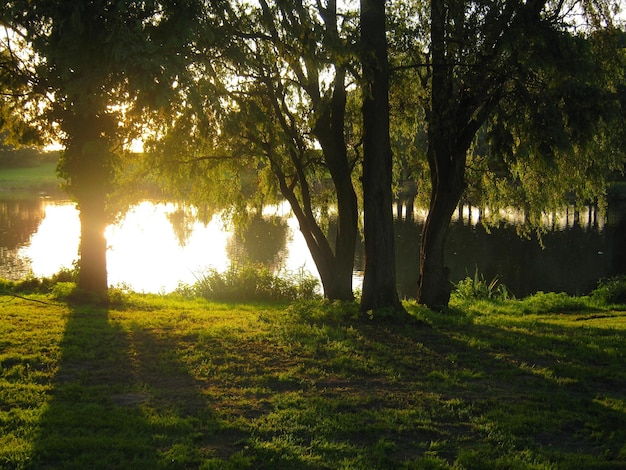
(152, 248)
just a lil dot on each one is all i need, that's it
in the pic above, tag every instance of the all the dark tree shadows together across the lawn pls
(485, 396)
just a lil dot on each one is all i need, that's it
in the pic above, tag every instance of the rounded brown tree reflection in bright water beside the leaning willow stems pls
(260, 240)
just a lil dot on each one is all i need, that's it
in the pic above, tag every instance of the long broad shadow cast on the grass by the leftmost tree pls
(107, 410)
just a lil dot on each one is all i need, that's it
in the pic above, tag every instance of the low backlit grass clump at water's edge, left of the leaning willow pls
(252, 282)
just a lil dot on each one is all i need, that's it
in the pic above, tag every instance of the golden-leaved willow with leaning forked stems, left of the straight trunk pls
(270, 116)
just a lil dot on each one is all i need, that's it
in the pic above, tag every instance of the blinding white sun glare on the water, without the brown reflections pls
(145, 252)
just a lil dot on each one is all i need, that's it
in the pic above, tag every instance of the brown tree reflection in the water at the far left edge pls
(19, 220)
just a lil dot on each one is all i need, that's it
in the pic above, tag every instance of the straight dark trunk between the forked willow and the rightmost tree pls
(379, 281)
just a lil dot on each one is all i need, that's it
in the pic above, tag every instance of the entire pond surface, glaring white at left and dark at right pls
(155, 247)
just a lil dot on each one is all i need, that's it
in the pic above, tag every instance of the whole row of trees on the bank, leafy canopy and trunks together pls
(504, 103)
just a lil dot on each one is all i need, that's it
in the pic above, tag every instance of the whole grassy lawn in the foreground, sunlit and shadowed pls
(164, 382)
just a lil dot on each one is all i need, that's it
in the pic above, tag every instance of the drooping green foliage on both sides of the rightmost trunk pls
(539, 102)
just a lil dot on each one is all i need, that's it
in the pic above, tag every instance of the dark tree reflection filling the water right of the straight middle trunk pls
(572, 259)
